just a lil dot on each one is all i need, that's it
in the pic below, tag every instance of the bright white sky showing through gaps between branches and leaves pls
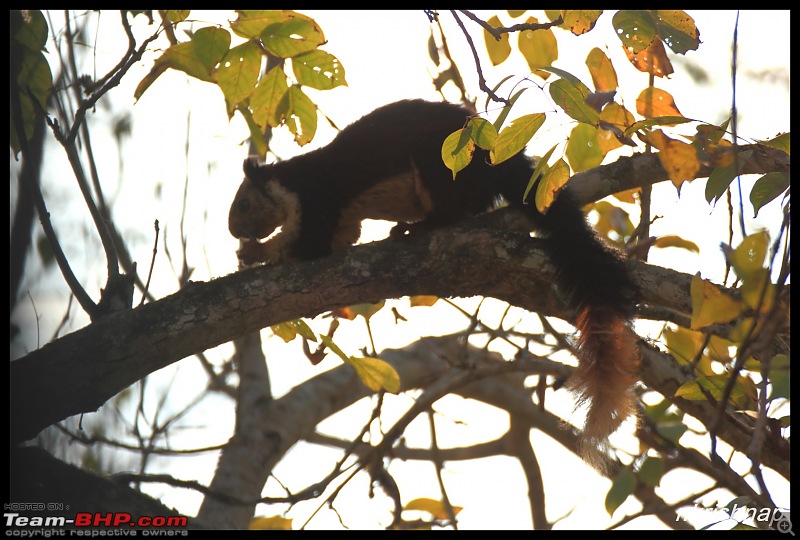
(385, 57)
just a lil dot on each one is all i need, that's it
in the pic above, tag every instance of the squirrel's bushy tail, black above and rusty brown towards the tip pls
(598, 286)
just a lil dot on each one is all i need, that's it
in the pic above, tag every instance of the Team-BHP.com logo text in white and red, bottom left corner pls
(91, 523)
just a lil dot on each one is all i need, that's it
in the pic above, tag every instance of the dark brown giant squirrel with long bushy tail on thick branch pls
(388, 165)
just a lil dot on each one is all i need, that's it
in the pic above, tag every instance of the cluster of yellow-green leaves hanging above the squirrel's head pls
(263, 77)
